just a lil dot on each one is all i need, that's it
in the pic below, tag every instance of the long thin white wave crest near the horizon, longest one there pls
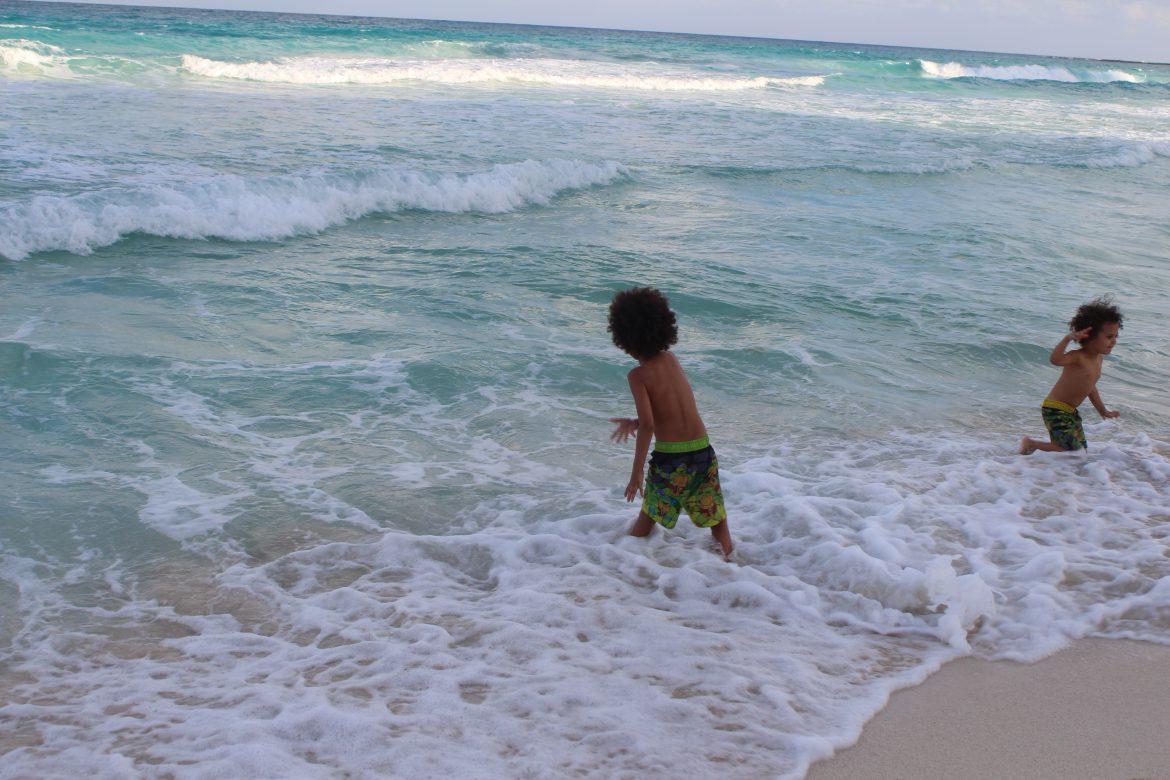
(555, 73)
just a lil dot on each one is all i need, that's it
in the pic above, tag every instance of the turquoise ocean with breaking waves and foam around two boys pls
(306, 386)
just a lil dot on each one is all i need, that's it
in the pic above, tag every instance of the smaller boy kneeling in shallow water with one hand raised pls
(1095, 327)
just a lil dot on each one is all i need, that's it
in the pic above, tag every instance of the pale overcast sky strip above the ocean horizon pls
(1119, 30)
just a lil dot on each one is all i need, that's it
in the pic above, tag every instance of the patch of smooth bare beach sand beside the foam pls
(1099, 710)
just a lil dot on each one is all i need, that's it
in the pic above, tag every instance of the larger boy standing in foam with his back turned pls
(685, 474)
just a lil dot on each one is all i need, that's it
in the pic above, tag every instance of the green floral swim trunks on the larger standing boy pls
(684, 477)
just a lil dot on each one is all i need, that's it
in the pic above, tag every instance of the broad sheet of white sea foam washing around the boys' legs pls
(541, 645)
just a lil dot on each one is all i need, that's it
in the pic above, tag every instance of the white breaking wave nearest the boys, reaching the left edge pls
(263, 210)
